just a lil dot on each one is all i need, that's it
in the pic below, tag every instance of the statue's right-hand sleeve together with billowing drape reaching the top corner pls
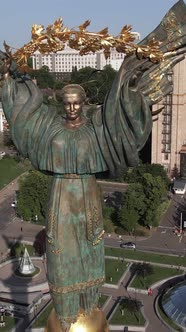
(124, 123)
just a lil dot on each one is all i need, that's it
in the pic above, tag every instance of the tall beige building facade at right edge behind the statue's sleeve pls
(169, 129)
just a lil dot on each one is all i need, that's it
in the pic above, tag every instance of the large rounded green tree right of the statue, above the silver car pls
(141, 201)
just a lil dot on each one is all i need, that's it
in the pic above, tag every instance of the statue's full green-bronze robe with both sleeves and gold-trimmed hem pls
(109, 138)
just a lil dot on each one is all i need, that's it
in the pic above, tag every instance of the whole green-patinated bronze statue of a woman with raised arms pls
(76, 147)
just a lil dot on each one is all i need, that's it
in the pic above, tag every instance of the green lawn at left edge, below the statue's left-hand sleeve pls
(9, 170)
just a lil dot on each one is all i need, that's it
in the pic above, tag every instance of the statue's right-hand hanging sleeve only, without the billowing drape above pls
(123, 124)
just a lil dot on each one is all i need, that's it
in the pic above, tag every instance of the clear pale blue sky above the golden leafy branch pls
(18, 16)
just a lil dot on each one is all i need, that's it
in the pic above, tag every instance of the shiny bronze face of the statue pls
(73, 103)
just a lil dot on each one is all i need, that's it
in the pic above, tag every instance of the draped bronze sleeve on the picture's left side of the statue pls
(32, 123)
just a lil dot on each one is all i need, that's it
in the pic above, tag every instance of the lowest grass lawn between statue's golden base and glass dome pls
(128, 318)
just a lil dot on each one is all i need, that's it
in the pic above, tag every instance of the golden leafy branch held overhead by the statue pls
(55, 37)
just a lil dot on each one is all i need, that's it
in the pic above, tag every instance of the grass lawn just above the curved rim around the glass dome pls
(158, 274)
